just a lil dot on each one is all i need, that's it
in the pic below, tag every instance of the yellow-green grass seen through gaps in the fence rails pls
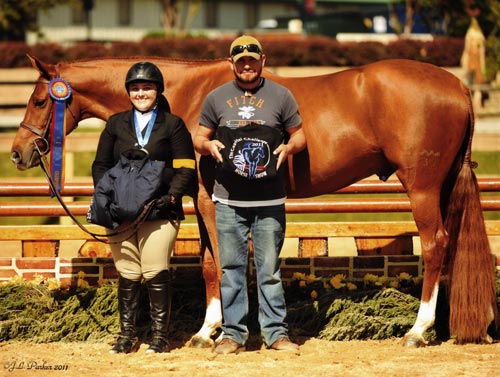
(489, 165)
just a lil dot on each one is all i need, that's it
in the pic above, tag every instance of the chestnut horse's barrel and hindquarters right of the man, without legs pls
(385, 117)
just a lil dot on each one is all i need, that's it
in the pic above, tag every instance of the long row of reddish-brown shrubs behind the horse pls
(280, 50)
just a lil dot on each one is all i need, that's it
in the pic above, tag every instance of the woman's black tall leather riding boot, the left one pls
(128, 302)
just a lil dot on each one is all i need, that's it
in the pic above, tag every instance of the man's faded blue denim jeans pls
(267, 227)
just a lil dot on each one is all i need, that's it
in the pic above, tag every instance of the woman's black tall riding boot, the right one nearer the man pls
(160, 301)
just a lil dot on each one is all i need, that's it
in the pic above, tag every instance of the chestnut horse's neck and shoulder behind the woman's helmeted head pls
(101, 92)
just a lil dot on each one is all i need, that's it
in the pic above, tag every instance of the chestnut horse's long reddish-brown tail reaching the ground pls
(472, 291)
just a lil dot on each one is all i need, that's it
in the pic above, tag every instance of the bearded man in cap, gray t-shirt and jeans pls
(243, 126)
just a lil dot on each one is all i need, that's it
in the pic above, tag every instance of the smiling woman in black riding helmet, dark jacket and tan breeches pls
(146, 255)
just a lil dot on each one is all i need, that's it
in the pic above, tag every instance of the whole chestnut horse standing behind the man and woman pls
(394, 116)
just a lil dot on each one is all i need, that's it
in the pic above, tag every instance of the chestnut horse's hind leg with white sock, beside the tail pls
(434, 240)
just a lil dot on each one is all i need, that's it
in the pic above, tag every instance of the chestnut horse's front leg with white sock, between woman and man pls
(211, 272)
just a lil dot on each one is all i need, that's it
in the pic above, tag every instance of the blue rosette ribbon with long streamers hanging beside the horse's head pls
(60, 91)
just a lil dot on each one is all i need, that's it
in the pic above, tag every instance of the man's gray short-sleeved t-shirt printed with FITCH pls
(271, 105)
